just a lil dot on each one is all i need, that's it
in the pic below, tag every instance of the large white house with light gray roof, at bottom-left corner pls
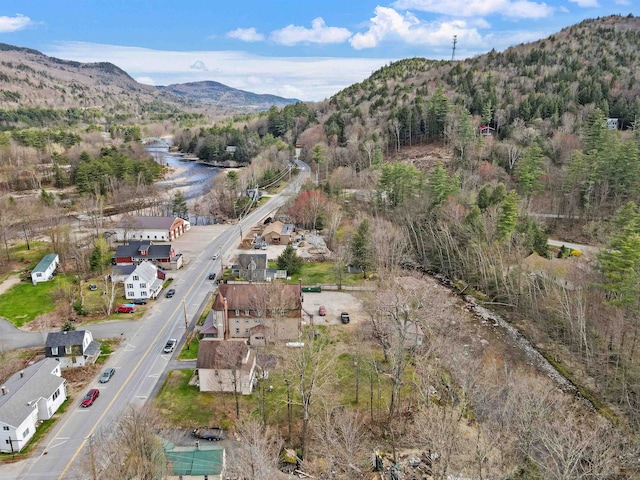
(26, 398)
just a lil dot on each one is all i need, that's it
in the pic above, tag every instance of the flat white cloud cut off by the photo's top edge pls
(474, 8)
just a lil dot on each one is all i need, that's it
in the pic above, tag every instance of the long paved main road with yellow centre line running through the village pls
(139, 362)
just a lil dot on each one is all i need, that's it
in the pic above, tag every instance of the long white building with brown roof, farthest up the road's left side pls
(160, 229)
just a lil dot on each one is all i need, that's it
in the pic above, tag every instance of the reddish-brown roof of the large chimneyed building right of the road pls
(250, 296)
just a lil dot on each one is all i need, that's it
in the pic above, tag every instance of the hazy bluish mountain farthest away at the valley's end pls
(217, 94)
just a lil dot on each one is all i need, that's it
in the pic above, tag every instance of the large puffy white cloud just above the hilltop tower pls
(389, 25)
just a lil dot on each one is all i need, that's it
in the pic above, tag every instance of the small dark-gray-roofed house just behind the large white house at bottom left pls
(72, 349)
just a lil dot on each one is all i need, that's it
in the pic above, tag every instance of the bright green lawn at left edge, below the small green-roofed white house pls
(25, 301)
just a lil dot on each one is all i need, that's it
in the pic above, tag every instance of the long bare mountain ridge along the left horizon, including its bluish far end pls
(30, 79)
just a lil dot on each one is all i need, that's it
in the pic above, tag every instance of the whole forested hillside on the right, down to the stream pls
(466, 162)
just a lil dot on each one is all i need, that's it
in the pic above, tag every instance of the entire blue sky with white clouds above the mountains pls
(302, 49)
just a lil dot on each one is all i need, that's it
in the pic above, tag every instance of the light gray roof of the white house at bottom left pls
(37, 382)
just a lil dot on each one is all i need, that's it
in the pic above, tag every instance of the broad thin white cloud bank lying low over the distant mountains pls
(306, 78)
